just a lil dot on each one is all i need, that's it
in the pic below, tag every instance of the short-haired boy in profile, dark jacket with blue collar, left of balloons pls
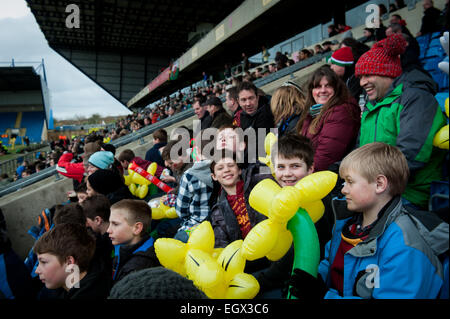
(129, 223)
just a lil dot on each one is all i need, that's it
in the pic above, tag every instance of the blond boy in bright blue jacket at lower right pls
(383, 251)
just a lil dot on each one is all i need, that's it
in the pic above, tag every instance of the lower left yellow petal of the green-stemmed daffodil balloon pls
(260, 240)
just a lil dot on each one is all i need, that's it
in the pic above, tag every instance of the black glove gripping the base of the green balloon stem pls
(305, 286)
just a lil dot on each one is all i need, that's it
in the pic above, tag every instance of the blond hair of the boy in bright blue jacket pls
(376, 159)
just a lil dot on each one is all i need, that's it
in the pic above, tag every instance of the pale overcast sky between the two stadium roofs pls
(72, 93)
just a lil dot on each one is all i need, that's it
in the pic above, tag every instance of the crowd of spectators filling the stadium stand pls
(376, 214)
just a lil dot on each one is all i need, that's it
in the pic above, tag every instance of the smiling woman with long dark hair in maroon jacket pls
(333, 120)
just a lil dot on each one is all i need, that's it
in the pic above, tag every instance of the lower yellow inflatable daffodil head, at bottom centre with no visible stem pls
(218, 278)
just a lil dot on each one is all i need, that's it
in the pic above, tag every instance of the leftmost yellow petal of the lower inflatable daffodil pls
(171, 253)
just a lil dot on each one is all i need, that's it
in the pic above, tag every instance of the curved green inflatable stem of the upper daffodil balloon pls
(306, 244)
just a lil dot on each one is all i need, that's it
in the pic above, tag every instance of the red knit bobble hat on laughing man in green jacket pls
(383, 58)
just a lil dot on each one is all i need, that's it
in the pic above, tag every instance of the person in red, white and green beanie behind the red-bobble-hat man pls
(343, 64)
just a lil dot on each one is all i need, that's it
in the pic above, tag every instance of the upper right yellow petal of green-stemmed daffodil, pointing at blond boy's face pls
(316, 186)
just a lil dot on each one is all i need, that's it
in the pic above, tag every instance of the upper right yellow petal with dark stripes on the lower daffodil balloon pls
(231, 259)
